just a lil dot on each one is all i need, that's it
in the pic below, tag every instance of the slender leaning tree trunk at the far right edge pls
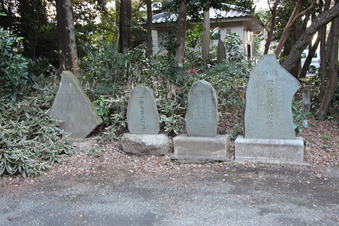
(333, 71)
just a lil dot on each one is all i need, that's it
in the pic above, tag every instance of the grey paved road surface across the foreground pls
(228, 195)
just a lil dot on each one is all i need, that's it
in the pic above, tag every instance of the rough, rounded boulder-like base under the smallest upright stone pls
(145, 144)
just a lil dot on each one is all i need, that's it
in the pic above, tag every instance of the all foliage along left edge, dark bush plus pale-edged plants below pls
(30, 142)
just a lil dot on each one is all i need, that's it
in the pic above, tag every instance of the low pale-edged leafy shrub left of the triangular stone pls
(30, 142)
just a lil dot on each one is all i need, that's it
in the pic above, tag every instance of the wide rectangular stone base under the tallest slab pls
(283, 151)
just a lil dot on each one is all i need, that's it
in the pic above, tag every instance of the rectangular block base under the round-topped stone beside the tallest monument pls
(200, 149)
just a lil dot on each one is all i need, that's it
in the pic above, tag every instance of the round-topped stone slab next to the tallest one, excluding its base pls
(202, 114)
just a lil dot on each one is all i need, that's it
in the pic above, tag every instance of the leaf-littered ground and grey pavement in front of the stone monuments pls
(108, 187)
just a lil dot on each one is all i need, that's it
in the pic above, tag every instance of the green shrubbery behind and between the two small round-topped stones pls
(109, 76)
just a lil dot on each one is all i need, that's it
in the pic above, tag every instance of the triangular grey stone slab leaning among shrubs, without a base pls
(73, 109)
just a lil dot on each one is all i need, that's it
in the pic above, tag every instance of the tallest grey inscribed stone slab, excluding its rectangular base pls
(269, 95)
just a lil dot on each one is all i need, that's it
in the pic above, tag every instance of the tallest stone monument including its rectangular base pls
(269, 131)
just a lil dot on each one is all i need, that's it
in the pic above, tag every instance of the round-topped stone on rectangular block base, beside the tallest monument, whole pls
(201, 144)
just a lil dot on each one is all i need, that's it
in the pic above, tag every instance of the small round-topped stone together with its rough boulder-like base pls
(143, 125)
